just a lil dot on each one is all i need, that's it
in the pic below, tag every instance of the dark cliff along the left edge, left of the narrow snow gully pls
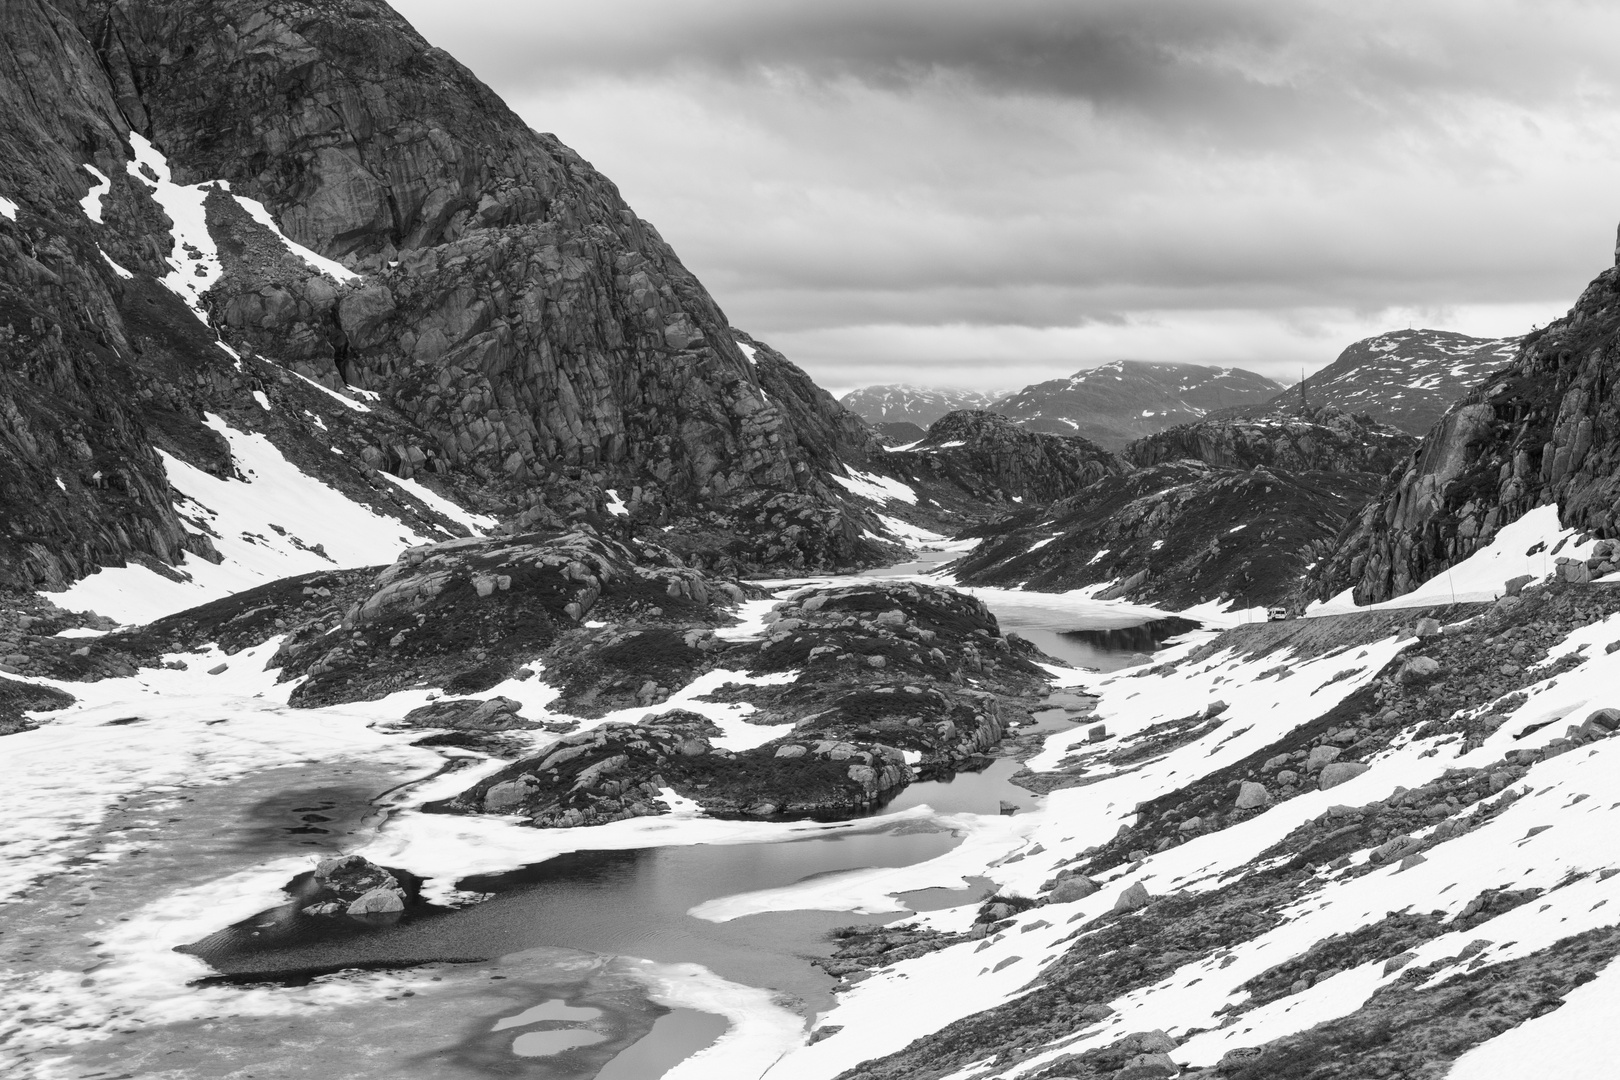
(80, 482)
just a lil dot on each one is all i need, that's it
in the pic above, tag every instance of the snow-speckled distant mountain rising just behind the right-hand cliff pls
(1405, 378)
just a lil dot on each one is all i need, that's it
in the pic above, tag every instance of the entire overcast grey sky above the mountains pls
(999, 192)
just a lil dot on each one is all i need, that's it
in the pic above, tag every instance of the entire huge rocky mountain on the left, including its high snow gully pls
(198, 200)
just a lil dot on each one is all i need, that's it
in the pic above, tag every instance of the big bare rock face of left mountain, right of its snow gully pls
(513, 304)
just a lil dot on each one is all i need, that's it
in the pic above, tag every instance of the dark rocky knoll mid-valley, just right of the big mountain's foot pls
(983, 457)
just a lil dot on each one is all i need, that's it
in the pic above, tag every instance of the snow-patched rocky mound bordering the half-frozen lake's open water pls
(887, 684)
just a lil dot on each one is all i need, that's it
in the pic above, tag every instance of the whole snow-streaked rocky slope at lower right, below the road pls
(1310, 843)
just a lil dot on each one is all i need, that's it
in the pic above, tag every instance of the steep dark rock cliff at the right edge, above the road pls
(1545, 432)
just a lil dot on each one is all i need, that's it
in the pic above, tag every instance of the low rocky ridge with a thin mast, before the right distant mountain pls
(1328, 441)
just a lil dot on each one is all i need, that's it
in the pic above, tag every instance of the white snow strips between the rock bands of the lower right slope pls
(1517, 851)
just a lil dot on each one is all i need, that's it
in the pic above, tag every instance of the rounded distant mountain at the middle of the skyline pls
(1130, 399)
